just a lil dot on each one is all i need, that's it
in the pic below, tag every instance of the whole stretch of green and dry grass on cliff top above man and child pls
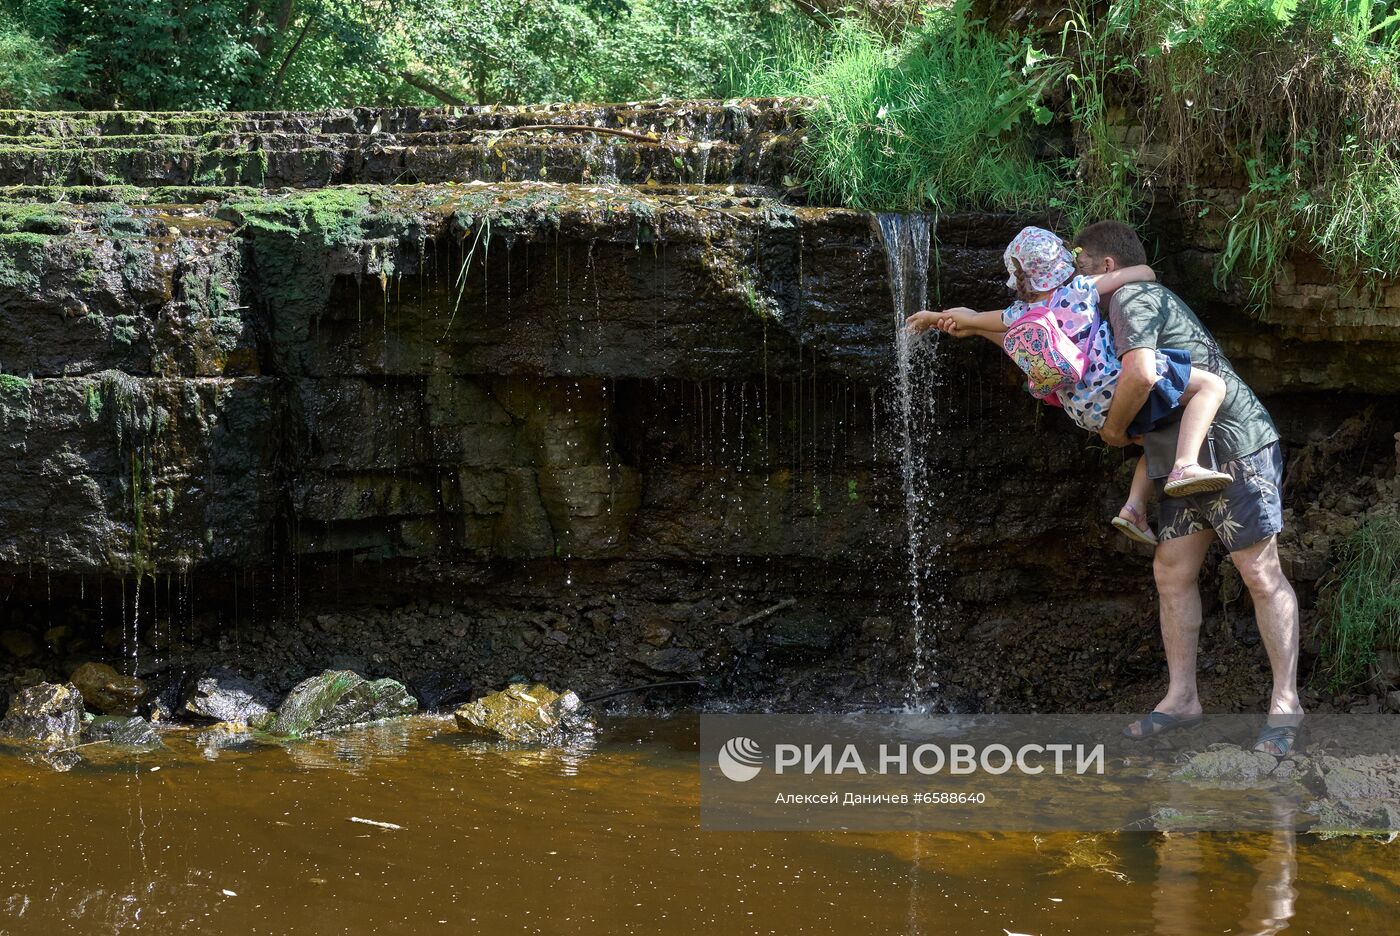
(1296, 101)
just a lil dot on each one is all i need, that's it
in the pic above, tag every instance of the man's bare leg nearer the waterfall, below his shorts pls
(1178, 567)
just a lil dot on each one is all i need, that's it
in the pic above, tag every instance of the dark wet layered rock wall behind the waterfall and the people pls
(601, 419)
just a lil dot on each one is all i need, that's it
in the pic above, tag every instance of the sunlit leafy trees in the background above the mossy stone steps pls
(285, 54)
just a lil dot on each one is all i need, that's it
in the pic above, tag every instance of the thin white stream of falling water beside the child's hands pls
(906, 239)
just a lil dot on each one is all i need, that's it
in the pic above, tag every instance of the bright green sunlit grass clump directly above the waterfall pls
(933, 120)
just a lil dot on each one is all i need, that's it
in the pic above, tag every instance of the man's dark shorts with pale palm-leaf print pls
(1248, 511)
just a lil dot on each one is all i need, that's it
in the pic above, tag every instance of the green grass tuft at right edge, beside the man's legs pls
(1364, 604)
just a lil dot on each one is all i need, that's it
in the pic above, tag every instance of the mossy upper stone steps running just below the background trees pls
(699, 142)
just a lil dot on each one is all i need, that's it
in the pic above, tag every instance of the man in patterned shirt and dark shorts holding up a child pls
(1247, 517)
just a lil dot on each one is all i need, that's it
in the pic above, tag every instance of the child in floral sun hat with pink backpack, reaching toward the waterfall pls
(1044, 278)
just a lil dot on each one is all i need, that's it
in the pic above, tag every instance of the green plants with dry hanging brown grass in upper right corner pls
(1303, 97)
